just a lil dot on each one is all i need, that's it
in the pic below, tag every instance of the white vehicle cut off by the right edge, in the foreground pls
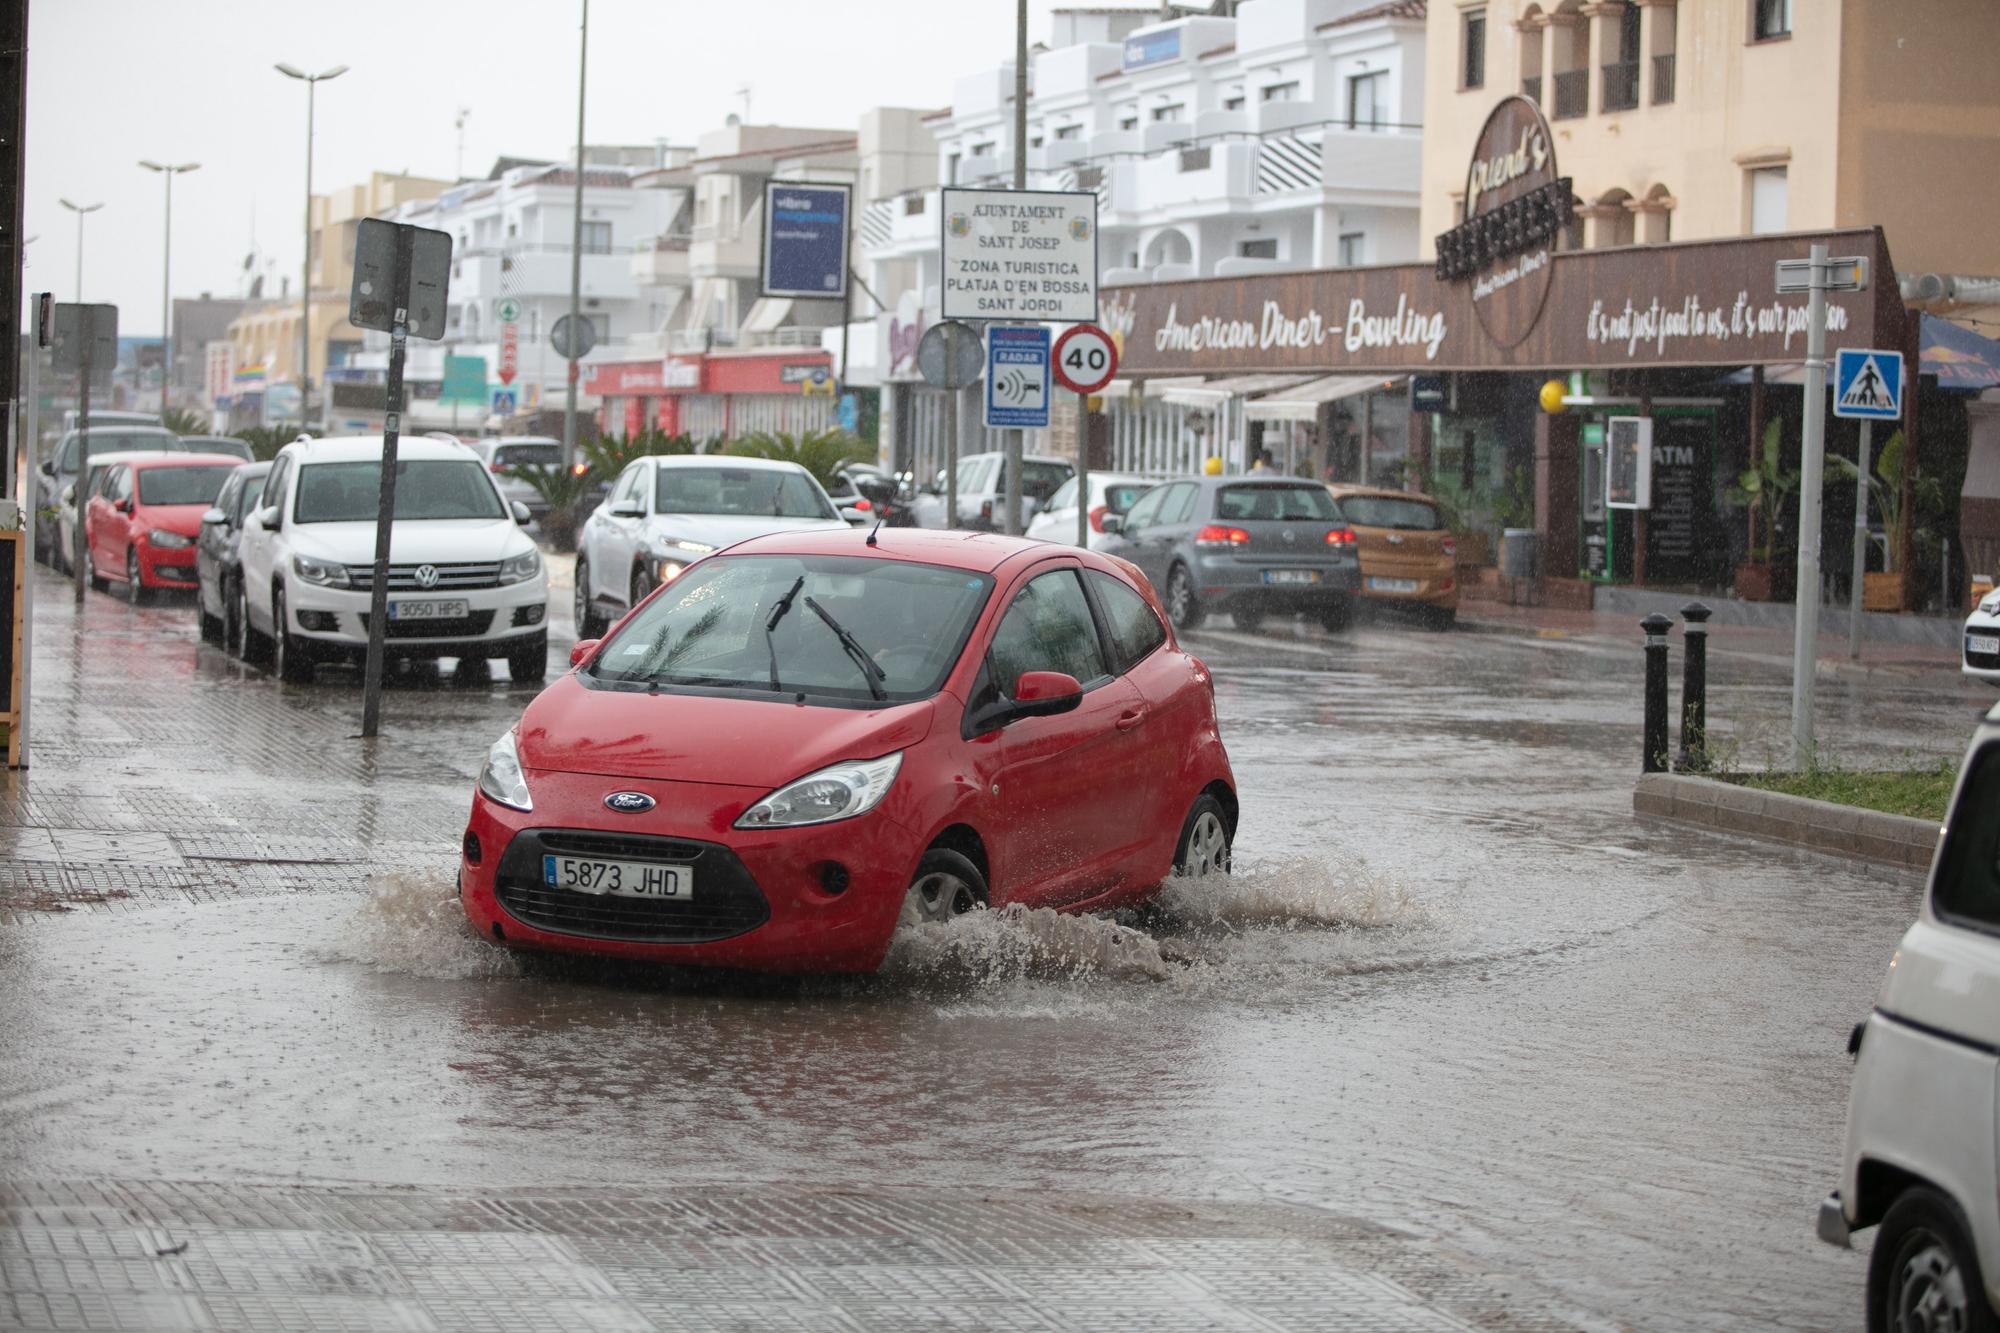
(1923, 1122)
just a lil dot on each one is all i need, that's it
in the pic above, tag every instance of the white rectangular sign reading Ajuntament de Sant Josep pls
(1021, 255)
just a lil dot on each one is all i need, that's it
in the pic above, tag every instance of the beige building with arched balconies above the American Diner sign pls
(1693, 119)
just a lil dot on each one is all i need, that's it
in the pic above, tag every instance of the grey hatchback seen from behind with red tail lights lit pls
(1249, 545)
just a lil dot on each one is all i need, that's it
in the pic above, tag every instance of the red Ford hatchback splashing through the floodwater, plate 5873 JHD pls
(815, 736)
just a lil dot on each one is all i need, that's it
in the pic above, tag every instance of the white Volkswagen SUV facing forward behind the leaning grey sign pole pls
(465, 581)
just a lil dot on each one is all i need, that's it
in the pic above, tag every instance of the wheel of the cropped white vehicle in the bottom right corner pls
(1925, 1274)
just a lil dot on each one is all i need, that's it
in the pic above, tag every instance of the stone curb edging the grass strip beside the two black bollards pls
(1801, 822)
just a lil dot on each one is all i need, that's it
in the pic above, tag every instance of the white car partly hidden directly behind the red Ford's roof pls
(669, 511)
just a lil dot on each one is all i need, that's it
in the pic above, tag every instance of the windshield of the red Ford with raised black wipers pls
(709, 629)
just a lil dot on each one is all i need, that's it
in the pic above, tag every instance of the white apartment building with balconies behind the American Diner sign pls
(1283, 135)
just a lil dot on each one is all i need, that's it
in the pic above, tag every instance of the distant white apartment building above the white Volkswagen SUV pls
(511, 239)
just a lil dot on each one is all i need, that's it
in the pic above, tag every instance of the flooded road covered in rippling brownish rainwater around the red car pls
(1453, 988)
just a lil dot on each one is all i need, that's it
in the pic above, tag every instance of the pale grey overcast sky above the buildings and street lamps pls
(191, 81)
